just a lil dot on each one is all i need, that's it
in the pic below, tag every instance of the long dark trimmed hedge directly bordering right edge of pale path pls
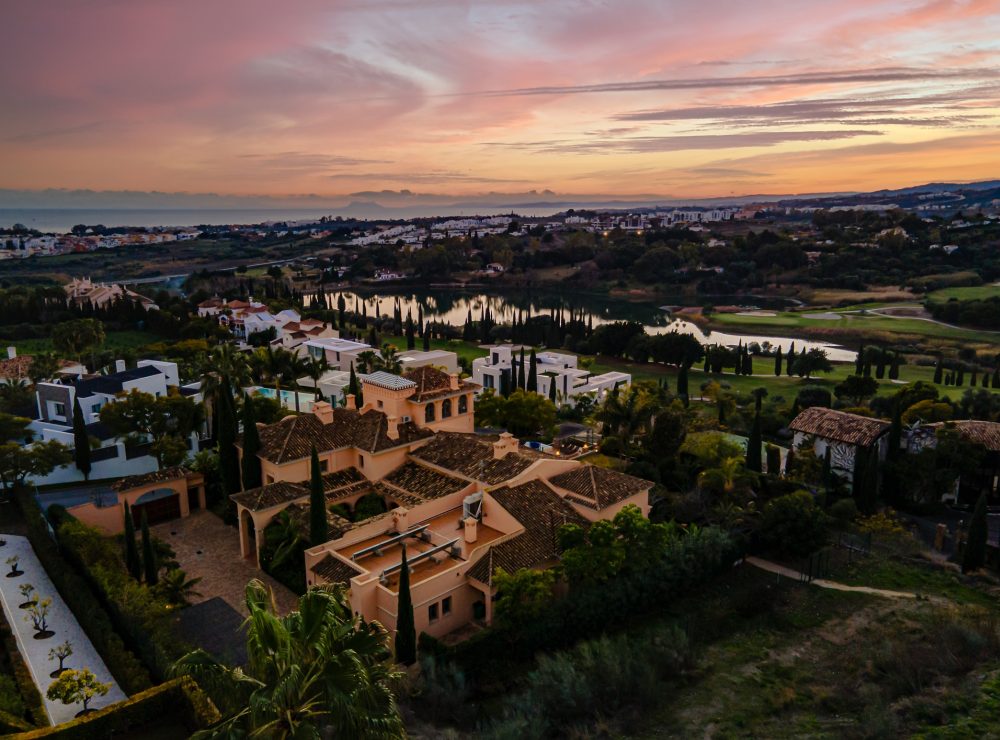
(130, 674)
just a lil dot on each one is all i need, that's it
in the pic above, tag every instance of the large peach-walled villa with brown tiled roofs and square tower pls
(463, 505)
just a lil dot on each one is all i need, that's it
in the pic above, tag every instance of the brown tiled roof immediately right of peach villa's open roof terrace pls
(541, 511)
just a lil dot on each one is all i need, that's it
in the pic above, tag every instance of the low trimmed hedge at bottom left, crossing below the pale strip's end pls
(180, 699)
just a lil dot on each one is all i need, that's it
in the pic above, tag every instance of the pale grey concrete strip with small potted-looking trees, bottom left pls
(60, 620)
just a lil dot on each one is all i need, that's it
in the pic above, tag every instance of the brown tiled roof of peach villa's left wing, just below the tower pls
(293, 437)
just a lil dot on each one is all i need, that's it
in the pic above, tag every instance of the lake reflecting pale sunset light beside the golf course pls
(452, 307)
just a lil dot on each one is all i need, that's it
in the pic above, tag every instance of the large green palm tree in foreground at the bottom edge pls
(319, 671)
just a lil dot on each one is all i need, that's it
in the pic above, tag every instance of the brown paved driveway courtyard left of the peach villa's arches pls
(209, 549)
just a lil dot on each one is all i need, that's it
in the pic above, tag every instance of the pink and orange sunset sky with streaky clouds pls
(668, 97)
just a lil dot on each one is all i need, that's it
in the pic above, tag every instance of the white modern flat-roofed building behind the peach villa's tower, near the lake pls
(552, 368)
